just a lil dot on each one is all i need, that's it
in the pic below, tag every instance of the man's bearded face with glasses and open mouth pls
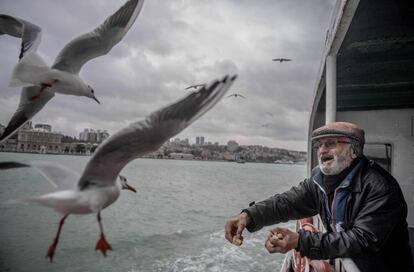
(334, 154)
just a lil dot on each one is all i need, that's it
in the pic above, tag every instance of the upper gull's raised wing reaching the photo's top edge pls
(99, 41)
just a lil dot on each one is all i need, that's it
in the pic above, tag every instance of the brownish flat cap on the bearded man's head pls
(340, 129)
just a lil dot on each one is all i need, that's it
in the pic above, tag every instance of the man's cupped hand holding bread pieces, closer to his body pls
(281, 240)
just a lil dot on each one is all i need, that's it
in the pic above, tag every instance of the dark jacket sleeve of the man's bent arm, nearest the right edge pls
(381, 209)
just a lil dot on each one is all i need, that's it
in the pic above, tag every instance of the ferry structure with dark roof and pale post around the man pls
(366, 77)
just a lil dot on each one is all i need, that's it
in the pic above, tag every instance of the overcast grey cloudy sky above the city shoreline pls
(177, 43)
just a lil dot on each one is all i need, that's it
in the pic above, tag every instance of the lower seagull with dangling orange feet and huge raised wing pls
(97, 187)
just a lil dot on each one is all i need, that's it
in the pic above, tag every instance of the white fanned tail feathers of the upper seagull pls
(30, 70)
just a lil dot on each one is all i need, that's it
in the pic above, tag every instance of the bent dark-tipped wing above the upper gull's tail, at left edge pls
(31, 34)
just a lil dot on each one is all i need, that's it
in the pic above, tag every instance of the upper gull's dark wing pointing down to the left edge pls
(27, 108)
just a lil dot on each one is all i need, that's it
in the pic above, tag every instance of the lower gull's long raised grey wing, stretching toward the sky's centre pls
(148, 135)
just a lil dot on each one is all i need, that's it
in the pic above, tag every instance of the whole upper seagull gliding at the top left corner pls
(40, 83)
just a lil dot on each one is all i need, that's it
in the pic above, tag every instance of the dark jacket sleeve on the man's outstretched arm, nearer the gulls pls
(299, 202)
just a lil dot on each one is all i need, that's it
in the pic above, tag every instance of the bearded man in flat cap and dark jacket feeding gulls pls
(361, 205)
